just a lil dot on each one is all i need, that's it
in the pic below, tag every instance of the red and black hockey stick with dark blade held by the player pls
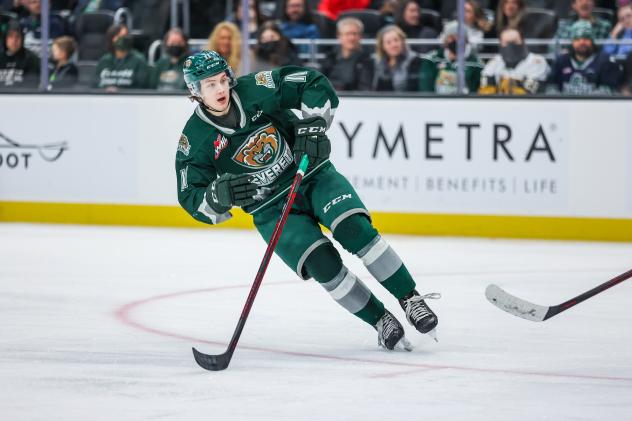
(221, 361)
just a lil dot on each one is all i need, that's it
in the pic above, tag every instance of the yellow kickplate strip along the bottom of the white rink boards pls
(501, 226)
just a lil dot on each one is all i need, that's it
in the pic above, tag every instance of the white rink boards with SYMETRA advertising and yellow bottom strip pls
(527, 168)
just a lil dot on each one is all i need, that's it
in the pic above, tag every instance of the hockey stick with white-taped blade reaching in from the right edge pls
(537, 313)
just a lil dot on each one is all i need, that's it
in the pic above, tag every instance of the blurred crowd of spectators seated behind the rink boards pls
(415, 45)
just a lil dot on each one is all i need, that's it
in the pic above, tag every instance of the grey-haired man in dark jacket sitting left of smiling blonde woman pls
(349, 67)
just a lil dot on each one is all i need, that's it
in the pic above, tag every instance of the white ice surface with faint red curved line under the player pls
(97, 323)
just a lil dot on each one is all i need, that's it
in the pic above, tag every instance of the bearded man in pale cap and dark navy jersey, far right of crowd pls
(583, 71)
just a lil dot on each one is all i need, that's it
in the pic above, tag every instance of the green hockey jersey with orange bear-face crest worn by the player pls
(269, 104)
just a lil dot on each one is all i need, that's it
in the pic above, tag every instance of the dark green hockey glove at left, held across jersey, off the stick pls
(230, 190)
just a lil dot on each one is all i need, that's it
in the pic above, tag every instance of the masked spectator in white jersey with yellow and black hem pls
(515, 71)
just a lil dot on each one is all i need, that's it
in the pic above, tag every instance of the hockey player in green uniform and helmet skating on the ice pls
(240, 148)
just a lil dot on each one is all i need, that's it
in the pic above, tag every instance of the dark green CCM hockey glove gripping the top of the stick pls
(310, 139)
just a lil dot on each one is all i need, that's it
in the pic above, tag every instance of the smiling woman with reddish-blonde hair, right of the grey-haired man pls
(396, 67)
